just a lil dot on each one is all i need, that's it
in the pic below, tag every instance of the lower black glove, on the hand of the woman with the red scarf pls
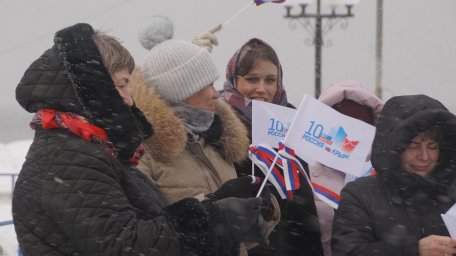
(237, 216)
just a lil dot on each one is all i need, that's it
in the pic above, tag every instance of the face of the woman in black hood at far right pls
(421, 156)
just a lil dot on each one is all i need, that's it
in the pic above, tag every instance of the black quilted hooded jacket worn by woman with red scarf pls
(72, 197)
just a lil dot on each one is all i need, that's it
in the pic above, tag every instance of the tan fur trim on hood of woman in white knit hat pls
(170, 135)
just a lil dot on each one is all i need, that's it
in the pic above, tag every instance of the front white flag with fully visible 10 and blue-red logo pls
(320, 133)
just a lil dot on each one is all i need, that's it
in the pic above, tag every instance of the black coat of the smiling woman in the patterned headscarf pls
(298, 232)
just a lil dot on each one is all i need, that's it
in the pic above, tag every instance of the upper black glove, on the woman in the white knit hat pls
(242, 187)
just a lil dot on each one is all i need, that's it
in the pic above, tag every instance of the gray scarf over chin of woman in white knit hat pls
(197, 120)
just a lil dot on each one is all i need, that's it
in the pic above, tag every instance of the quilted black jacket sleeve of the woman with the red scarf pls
(89, 204)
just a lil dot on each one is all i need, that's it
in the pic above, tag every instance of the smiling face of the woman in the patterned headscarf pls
(260, 83)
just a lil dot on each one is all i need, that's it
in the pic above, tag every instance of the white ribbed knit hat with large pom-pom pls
(177, 69)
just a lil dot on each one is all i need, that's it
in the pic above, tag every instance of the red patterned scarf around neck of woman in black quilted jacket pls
(76, 124)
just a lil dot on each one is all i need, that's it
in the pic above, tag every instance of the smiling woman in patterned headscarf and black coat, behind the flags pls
(254, 73)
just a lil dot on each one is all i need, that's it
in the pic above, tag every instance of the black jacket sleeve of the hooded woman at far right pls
(354, 232)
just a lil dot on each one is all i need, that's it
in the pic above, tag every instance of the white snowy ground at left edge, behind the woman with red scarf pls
(12, 155)
